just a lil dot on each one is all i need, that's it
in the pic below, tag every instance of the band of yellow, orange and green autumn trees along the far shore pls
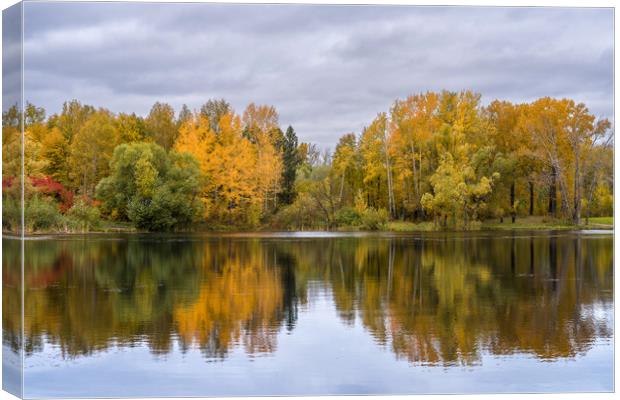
(432, 161)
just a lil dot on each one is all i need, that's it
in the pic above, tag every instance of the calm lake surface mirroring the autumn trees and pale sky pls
(311, 313)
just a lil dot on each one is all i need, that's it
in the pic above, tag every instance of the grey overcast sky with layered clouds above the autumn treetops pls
(327, 69)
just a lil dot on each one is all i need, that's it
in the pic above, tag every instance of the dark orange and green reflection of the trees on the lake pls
(432, 300)
